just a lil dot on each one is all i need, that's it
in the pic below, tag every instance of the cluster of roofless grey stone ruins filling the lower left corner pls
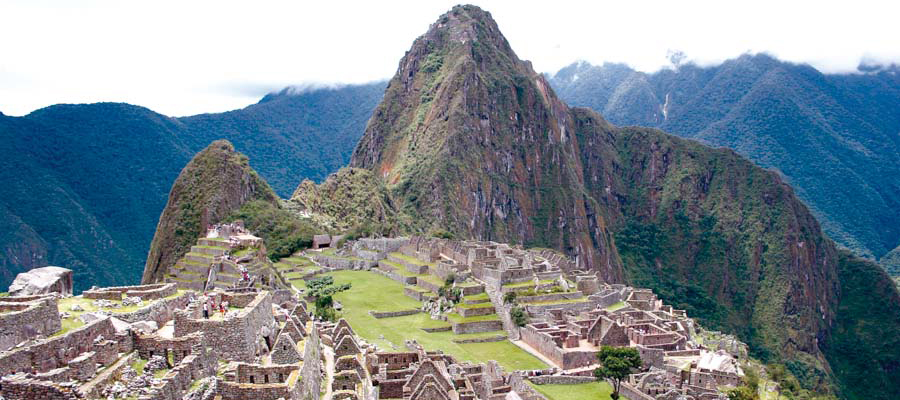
(258, 350)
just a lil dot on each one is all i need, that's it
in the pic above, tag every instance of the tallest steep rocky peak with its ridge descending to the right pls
(469, 138)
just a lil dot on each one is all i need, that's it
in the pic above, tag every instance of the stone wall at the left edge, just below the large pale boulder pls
(24, 321)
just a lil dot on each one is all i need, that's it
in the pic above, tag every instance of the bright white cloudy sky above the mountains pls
(187, 57)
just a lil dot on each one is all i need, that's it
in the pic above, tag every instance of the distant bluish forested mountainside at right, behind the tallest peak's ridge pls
(833, 136)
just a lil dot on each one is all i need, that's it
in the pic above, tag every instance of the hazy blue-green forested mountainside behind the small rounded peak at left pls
(85, 184)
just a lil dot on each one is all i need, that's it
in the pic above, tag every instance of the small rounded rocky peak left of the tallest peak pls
(217, 181)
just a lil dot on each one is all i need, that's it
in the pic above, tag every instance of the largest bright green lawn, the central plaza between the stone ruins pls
(371, 291)
